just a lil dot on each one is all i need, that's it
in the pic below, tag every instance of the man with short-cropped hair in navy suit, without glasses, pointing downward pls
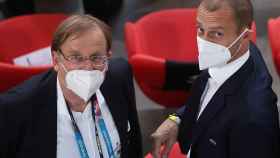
(232, 111)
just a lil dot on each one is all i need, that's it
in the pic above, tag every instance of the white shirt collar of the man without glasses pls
(222, 73)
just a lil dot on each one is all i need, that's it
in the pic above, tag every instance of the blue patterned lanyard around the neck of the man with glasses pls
(101, 123)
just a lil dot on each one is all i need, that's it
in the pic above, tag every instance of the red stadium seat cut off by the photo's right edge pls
(274, 39)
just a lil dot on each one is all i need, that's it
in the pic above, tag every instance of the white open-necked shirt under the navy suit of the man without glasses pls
(218, 76)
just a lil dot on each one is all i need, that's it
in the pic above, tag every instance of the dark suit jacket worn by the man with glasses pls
(28, 114)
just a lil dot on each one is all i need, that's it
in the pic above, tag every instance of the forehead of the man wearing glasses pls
(86, 42)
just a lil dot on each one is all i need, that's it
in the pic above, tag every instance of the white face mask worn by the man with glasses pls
(84, 83)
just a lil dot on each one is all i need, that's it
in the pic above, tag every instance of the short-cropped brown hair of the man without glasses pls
(242, 10)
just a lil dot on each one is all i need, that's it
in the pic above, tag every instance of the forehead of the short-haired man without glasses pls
(222, 17)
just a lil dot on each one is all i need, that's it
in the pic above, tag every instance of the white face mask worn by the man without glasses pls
(213, 54)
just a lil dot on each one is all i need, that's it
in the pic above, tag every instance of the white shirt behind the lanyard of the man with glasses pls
(66, 142)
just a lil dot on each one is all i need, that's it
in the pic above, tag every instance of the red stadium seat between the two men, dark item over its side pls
(168, 35)
